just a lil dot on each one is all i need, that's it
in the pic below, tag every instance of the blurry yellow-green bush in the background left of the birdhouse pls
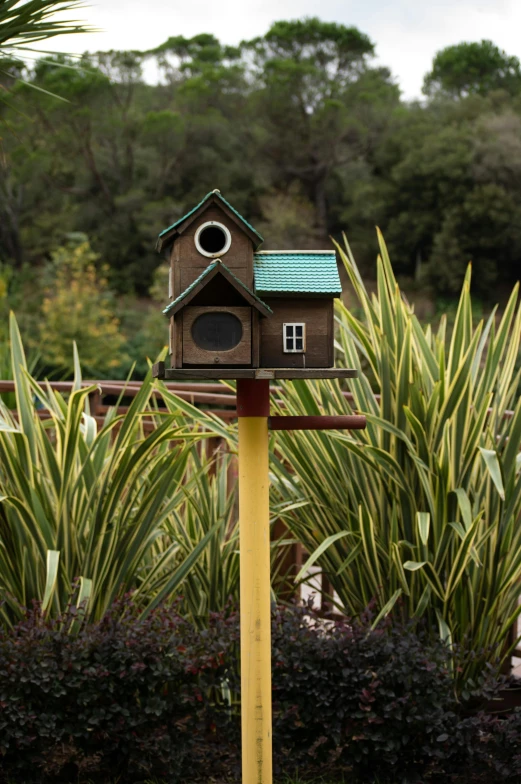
(115, 336)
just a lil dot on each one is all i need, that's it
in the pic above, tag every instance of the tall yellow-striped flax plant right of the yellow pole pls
(421, 512)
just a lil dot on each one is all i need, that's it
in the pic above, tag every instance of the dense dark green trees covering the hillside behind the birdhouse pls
(300, 130)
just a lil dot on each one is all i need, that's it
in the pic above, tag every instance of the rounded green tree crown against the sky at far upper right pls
(475, 67)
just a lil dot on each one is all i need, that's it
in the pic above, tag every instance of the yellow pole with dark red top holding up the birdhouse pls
(253, 409)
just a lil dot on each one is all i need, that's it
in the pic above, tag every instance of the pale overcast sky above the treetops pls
(407, 33)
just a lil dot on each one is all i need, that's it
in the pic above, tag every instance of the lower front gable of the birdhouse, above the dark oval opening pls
(217, 285)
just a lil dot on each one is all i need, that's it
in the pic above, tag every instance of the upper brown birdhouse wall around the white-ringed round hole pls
(188, 263)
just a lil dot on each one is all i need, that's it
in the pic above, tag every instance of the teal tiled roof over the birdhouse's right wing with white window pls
(298, 272)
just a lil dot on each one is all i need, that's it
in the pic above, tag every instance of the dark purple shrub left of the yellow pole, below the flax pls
(126, 696)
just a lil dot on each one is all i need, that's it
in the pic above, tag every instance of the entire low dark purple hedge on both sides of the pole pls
(158, 697)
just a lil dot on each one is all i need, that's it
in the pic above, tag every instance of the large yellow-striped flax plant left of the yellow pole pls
(98, 503)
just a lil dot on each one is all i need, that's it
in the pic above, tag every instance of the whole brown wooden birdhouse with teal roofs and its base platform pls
(236, 311)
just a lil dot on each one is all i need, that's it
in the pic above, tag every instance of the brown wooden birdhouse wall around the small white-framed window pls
(316, 314)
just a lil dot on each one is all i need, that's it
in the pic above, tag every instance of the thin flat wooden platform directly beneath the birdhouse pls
(187, 374)
